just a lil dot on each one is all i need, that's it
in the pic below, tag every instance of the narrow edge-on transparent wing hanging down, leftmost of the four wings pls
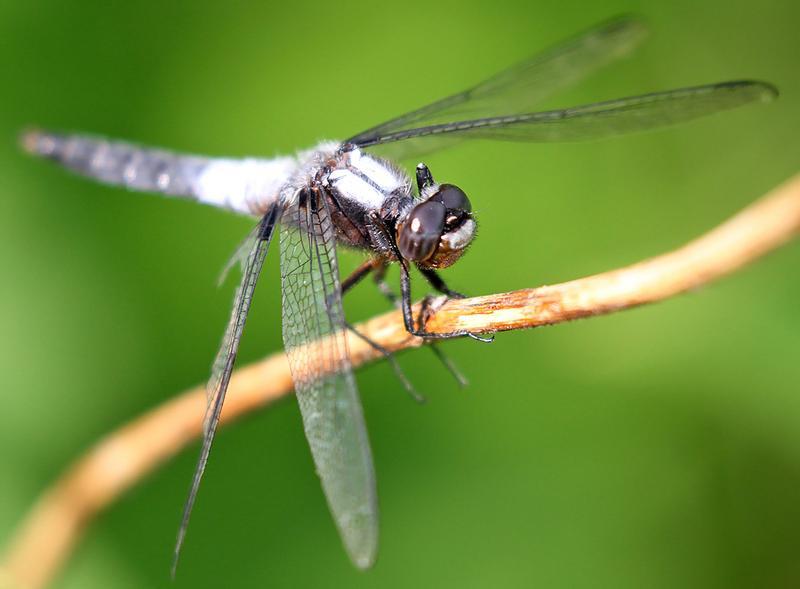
(226, 357)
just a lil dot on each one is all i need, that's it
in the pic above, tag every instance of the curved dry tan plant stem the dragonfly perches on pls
(55, 523)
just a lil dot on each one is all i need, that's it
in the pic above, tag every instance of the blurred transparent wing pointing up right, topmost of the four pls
(519, 88)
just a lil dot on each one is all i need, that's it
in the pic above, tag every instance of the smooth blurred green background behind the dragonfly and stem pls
(654, 448)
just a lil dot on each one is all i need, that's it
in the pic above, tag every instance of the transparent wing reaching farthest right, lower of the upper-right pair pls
(592, 121)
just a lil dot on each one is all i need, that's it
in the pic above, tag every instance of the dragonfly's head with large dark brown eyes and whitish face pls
(438, 230)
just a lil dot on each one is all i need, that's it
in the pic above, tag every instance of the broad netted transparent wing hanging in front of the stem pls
(314, 338)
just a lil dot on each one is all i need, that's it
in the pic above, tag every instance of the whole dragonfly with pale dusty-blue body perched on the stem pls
(354, 193)
